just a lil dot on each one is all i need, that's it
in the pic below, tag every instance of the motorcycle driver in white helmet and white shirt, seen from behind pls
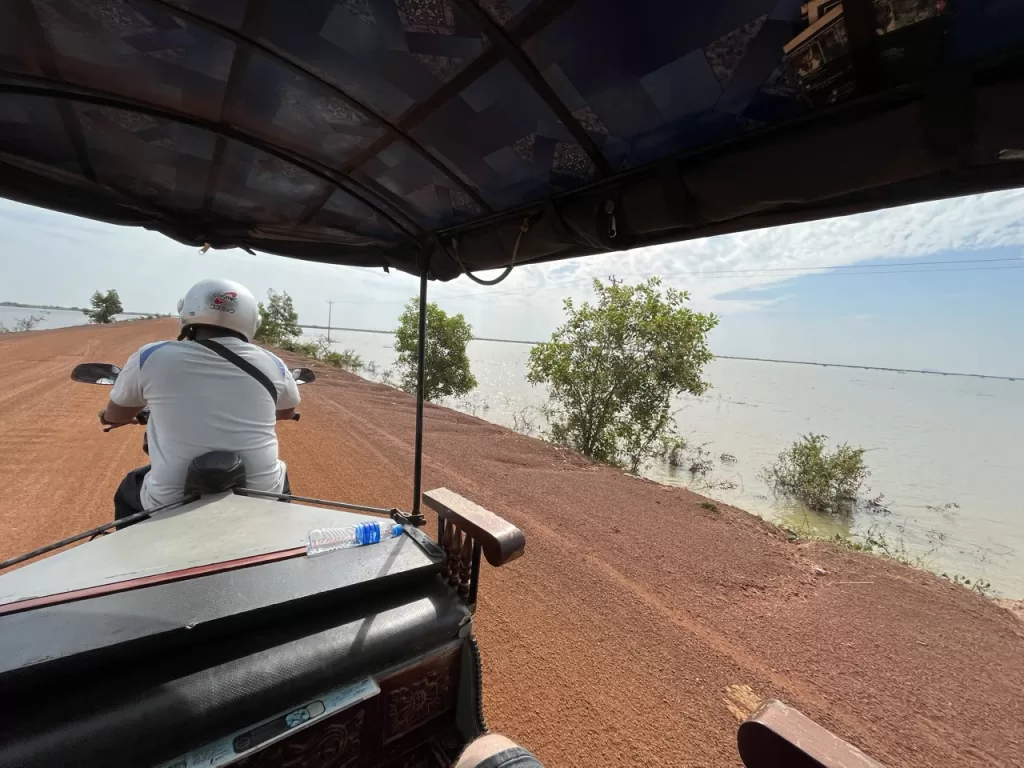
(210, 391)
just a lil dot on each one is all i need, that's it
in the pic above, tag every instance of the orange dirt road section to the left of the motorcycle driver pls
(60, 467)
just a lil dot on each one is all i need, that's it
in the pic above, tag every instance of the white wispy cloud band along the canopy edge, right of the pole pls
(722, 274)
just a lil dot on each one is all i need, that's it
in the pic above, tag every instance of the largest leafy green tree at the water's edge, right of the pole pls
(615, 366)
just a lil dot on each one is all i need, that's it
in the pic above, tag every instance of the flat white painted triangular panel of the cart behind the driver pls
(211, 531)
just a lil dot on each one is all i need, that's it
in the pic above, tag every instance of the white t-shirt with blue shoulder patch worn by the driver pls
(201, 403)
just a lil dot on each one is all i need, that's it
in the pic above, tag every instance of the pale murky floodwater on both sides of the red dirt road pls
(944, 451)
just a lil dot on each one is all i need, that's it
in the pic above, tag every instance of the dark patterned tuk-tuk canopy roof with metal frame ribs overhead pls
(472, 135)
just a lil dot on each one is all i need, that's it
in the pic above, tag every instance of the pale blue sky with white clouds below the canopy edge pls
(860, 290)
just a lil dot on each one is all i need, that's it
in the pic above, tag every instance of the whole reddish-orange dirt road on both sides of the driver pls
(638, 627)
